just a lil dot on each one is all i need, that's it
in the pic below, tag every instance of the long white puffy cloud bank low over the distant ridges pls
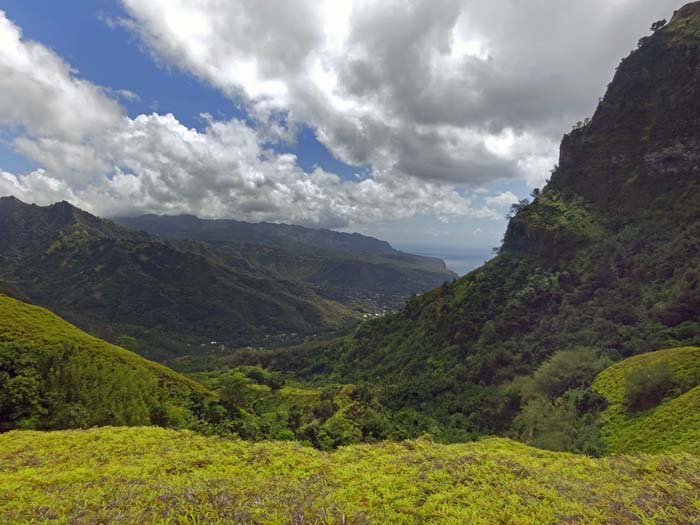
(96, 156)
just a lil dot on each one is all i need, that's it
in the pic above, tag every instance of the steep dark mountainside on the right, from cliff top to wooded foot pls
(603, 262)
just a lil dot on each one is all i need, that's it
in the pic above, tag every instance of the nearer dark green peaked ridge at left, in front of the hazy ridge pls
(166, 296)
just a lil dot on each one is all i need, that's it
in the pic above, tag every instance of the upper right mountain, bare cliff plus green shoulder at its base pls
(638, 156)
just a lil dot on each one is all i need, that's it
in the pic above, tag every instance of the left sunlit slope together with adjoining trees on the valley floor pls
(54, 376)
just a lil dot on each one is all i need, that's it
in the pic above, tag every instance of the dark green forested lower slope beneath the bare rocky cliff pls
(574, 285)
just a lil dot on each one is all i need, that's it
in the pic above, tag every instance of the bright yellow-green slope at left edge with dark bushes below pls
(52, 375)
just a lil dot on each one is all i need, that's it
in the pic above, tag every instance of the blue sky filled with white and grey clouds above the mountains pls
(419, 122)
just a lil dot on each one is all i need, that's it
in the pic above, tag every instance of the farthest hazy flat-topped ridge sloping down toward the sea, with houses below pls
(354, 269)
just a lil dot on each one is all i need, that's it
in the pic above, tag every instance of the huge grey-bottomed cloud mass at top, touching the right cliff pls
(422, 87)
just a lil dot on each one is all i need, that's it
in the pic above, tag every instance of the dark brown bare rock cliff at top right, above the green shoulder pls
(642, 146)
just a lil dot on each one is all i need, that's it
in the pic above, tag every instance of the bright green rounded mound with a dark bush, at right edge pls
(667, 383)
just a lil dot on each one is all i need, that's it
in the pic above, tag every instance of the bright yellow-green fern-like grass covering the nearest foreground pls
(154, 475)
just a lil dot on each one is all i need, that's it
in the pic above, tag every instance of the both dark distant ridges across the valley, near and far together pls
(162, 296)
